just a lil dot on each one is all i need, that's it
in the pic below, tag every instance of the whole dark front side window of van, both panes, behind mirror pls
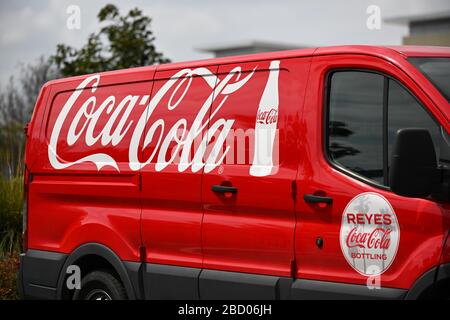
(365, 111)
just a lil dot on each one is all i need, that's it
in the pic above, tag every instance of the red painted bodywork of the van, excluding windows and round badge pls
(138, 161)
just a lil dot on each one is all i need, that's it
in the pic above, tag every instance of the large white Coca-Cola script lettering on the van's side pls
(182, 133)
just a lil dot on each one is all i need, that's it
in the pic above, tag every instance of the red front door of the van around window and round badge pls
(421, 221)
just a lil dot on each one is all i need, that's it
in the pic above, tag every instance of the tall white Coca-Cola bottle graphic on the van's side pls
(266, 125)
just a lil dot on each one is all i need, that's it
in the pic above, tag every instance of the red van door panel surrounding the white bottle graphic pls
(262, 240)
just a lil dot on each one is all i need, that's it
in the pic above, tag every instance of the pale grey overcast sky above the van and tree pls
(31, 28)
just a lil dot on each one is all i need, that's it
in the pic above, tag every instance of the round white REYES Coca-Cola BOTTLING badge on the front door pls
(370, 234)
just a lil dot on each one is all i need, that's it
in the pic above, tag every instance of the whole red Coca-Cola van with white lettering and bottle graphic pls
(316, 173)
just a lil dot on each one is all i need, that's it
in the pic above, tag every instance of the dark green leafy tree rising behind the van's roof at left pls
(125, 42)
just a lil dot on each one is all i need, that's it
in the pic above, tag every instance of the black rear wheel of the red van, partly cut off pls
(100, 285)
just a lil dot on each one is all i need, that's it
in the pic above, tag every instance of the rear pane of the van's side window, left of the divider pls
(356, 122)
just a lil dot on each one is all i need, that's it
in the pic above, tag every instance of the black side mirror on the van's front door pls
(413, 168)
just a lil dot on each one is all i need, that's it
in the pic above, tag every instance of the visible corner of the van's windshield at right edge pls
(437, 70)
